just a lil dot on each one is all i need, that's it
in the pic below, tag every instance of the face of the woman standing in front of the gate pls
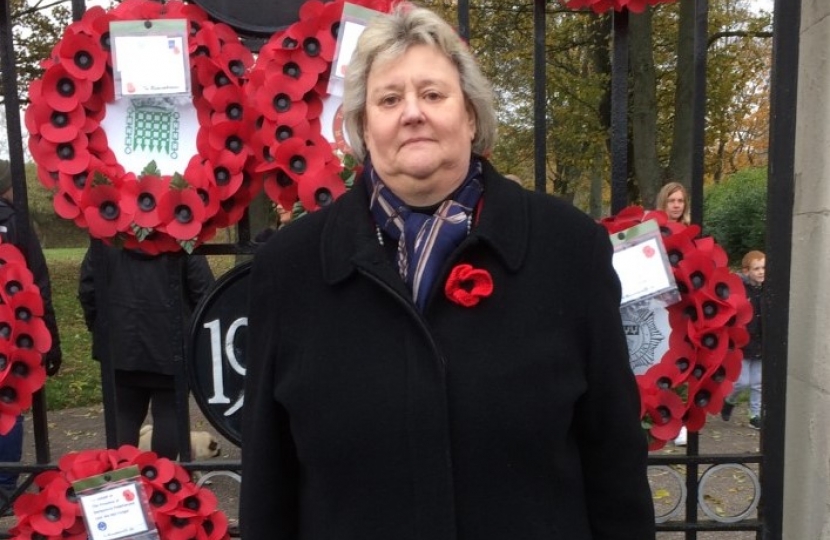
(418, 128)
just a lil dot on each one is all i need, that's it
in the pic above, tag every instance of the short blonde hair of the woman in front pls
(388, 37)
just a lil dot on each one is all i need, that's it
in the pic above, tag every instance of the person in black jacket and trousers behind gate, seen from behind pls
(130, 305)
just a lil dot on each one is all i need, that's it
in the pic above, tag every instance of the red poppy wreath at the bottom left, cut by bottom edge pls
(180, 509)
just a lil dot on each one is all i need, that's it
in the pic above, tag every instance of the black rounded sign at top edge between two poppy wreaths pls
(257, 16)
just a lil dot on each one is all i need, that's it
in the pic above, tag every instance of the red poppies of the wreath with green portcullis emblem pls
(148, 210)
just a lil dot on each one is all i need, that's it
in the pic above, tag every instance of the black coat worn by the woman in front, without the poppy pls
(514, 419)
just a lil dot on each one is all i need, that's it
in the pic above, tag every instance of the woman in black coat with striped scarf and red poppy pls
(453, 364)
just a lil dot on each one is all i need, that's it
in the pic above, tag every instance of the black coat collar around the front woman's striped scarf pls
(349, 238)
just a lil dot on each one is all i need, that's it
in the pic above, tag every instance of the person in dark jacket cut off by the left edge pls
(11, 444)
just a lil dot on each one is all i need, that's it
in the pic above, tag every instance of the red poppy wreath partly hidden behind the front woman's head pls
(301, 170)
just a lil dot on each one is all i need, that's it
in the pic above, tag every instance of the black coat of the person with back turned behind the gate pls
(147, 302)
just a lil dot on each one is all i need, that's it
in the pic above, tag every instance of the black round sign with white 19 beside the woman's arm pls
(216, 352)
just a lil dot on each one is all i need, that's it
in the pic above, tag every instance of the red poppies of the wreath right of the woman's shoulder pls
(708, 329)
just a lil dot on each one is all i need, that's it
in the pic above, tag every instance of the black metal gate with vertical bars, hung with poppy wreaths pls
(770, 460)
